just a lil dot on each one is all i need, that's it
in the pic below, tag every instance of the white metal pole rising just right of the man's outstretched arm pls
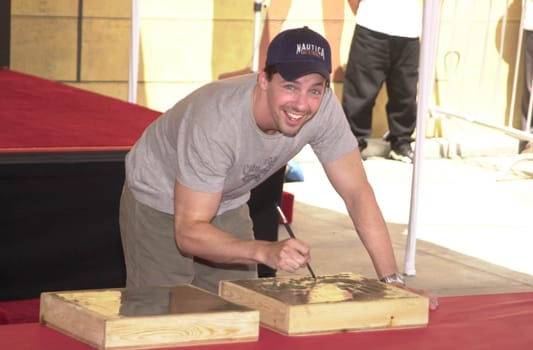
(427, 70)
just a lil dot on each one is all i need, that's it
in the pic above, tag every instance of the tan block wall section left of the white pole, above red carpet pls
(50, 40)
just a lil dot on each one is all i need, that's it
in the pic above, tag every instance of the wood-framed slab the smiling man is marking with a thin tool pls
(332, 304)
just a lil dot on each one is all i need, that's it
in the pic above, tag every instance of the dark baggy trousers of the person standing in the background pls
(376, 58)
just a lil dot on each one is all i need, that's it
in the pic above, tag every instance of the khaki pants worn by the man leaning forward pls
(153, 259)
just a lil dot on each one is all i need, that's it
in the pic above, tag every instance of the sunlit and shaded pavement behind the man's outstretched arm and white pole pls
(474, 226)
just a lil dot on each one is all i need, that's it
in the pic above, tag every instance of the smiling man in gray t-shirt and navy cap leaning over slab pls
(183, 214)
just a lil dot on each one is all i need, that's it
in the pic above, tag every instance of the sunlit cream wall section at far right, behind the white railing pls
(475, 69)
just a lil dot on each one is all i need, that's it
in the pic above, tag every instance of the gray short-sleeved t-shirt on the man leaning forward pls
(209, 142)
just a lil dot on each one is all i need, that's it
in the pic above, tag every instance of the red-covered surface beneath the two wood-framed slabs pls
(495, 322)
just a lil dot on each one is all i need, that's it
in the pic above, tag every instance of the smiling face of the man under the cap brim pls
(293, 103)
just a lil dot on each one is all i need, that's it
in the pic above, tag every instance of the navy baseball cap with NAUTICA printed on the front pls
(298, 52)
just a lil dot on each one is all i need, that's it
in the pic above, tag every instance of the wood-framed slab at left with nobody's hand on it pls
(142, 318)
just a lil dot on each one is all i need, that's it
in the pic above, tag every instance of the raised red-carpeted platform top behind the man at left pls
(39, 115)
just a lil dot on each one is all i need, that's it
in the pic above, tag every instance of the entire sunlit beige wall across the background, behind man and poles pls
(185, 44)
